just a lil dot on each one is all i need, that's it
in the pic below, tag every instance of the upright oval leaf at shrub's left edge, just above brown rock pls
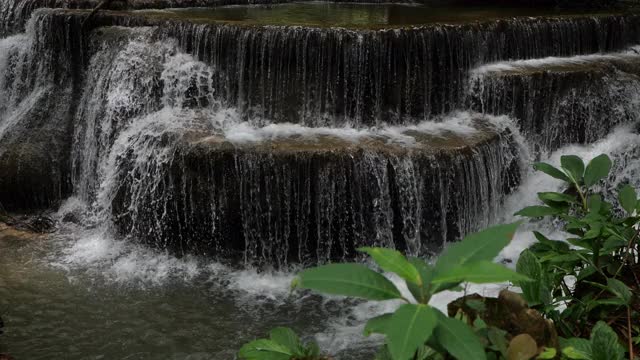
(537, 291)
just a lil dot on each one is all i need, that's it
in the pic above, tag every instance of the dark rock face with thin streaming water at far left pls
(35, 135)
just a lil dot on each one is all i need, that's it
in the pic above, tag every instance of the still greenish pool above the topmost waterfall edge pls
(353, 15)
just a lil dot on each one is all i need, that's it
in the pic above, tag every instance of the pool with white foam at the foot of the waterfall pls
(93, 298)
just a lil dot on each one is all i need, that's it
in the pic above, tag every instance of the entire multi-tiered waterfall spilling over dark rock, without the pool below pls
(280, 145)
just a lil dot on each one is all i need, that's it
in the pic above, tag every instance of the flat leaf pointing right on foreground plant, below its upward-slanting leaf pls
(480, 272)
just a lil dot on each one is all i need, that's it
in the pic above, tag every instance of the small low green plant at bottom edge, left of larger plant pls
(283, 344)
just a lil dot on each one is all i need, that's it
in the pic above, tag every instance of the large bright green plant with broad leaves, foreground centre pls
(417, 330)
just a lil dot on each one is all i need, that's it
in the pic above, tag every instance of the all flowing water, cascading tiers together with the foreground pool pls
(194, 167)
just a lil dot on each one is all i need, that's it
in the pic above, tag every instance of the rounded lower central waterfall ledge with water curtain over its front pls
(310, 199)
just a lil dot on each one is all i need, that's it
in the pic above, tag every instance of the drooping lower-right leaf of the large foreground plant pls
(458, 339)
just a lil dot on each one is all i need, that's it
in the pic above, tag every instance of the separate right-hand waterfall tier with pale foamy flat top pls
(559, 101)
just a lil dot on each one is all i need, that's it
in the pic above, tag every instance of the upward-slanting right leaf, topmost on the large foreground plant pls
(481, 246)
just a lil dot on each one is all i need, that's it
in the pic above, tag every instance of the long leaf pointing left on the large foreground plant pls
(349, 280)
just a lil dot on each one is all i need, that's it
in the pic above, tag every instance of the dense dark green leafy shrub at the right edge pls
(591, 273)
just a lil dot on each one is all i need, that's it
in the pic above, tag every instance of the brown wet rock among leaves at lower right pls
(510, 312)
